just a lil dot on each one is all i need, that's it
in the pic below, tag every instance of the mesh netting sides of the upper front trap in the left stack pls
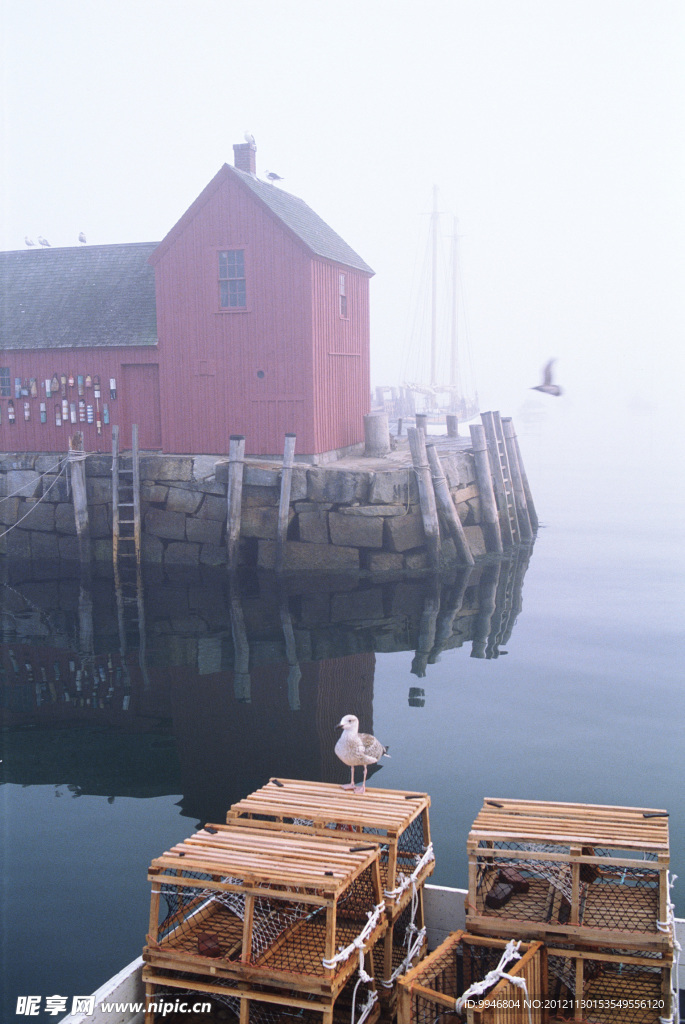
(285, 934)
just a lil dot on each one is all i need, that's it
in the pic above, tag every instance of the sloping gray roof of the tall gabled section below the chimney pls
(309, 227)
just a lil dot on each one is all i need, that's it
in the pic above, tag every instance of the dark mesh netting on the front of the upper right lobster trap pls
(541, 889)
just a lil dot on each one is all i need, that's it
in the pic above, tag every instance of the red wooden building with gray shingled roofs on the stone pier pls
(251, 317)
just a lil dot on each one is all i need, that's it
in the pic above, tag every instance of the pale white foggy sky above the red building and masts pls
(553, 130)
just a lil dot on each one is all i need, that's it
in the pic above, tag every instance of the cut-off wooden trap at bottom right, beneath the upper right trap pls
(609, 987)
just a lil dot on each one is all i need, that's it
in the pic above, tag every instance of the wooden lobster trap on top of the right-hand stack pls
(577, 872)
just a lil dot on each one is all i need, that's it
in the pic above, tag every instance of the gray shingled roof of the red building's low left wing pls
(78, 298)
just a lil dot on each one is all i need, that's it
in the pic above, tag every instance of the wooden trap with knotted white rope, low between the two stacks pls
(464, 980)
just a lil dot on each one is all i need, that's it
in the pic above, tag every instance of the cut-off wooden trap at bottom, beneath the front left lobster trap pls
(168, 992)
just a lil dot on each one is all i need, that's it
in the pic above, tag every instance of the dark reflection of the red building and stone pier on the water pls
(202, 687)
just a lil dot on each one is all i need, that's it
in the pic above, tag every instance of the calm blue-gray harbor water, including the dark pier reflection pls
(578, 697)
